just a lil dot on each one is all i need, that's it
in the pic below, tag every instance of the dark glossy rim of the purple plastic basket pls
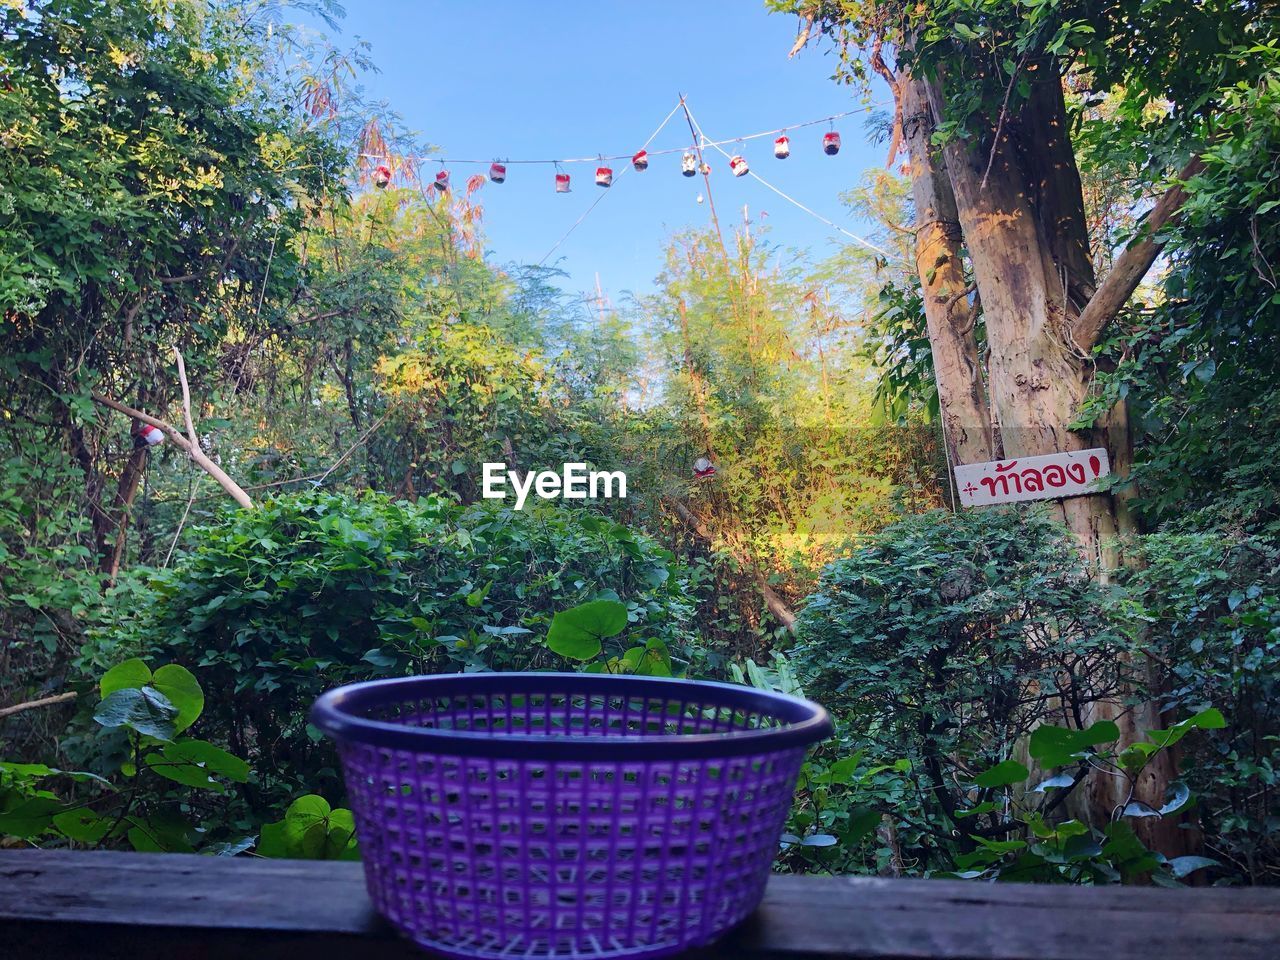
(337, 714)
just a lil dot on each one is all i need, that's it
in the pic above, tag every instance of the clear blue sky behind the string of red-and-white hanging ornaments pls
(575, 79)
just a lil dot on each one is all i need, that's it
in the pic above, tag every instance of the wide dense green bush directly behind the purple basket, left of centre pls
(308, 592)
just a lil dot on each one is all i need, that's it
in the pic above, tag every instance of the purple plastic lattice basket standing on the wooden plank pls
(566, 815)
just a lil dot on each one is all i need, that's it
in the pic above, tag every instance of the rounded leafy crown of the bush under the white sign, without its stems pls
(945, 614)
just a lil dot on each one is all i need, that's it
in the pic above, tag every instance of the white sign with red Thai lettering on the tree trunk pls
(1048, 478)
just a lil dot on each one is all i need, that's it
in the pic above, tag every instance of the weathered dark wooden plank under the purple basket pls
(136, 907)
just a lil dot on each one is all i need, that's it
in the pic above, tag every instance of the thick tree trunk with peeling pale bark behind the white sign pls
(1021, 209)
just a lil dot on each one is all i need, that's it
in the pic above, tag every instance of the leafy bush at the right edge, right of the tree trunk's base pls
(1213, 609)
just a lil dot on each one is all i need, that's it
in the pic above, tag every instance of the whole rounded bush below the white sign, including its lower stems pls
(944, 642)
